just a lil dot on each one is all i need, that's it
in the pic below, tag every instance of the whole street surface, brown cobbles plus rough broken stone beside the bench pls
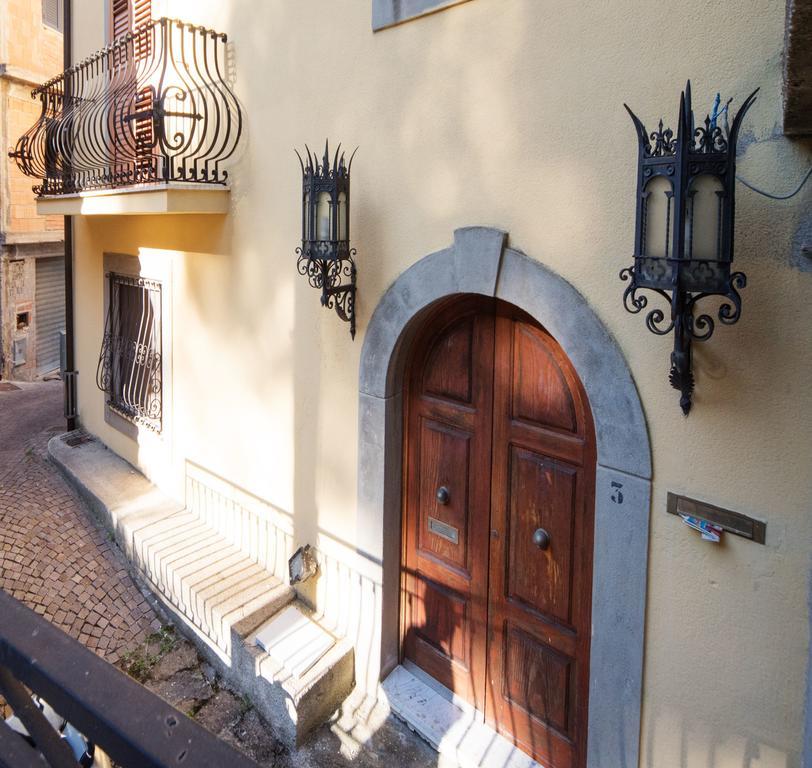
(56, 559)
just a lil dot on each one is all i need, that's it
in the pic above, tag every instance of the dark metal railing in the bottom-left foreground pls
(133, 727)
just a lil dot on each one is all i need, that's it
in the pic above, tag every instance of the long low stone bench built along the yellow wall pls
(220, 592)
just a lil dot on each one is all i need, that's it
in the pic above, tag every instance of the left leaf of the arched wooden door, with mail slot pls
(449, 408)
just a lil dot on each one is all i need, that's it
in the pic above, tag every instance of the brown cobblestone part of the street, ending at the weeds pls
(53, 556)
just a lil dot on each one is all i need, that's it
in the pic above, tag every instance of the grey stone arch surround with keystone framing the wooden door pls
(480, 262)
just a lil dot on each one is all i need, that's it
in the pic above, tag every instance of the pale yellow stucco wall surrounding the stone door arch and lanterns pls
(505, 113)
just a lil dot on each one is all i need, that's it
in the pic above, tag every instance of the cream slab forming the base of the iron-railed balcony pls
(141, 200)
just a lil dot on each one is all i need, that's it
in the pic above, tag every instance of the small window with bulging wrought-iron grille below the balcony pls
(129, 369)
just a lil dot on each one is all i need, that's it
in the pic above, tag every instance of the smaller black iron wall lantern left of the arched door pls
(325, 256)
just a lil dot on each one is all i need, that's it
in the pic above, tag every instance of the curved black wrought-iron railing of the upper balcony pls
(154, 106)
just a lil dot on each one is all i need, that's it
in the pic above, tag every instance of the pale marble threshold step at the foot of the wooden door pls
(458, 733)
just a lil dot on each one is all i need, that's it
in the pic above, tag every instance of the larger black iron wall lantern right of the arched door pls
(683, 245)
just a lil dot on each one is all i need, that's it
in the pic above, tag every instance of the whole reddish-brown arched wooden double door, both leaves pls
(499, 477)
